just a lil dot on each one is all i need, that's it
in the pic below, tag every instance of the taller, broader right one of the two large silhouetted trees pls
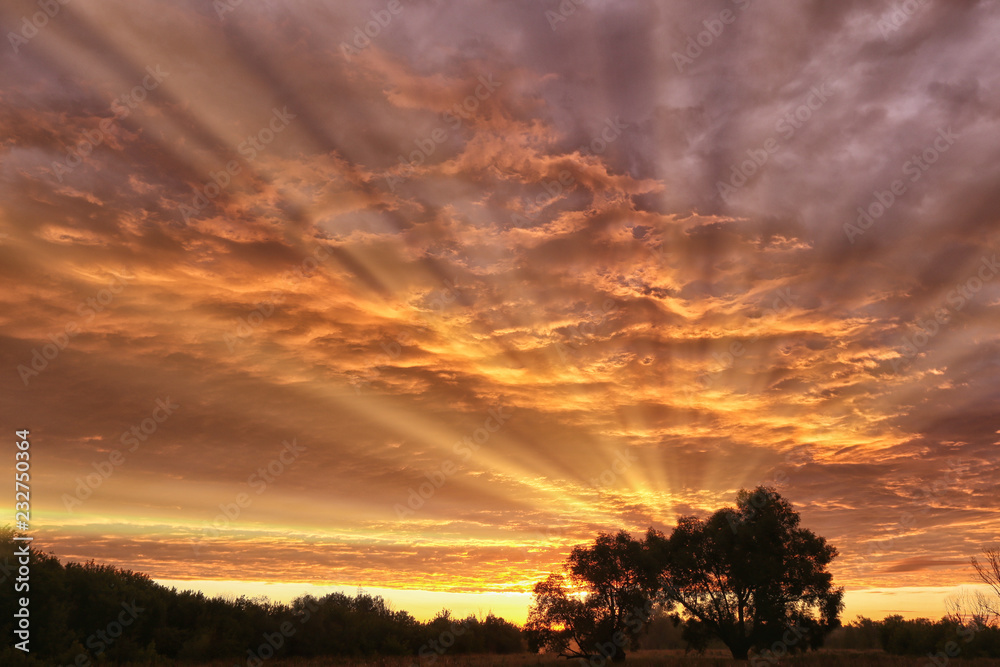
(750, 576)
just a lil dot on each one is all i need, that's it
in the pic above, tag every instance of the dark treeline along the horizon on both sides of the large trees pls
(92, 614)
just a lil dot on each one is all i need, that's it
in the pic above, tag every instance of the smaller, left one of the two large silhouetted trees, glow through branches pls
(601, 602)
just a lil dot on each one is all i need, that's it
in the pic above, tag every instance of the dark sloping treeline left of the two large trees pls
(93, 614)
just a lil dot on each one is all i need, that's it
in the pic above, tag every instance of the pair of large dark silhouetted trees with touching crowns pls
(748, 575)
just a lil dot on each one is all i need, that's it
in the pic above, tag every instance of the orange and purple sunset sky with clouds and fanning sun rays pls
(416, 295)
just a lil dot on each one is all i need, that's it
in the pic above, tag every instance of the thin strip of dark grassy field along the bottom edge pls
(641, 659)
